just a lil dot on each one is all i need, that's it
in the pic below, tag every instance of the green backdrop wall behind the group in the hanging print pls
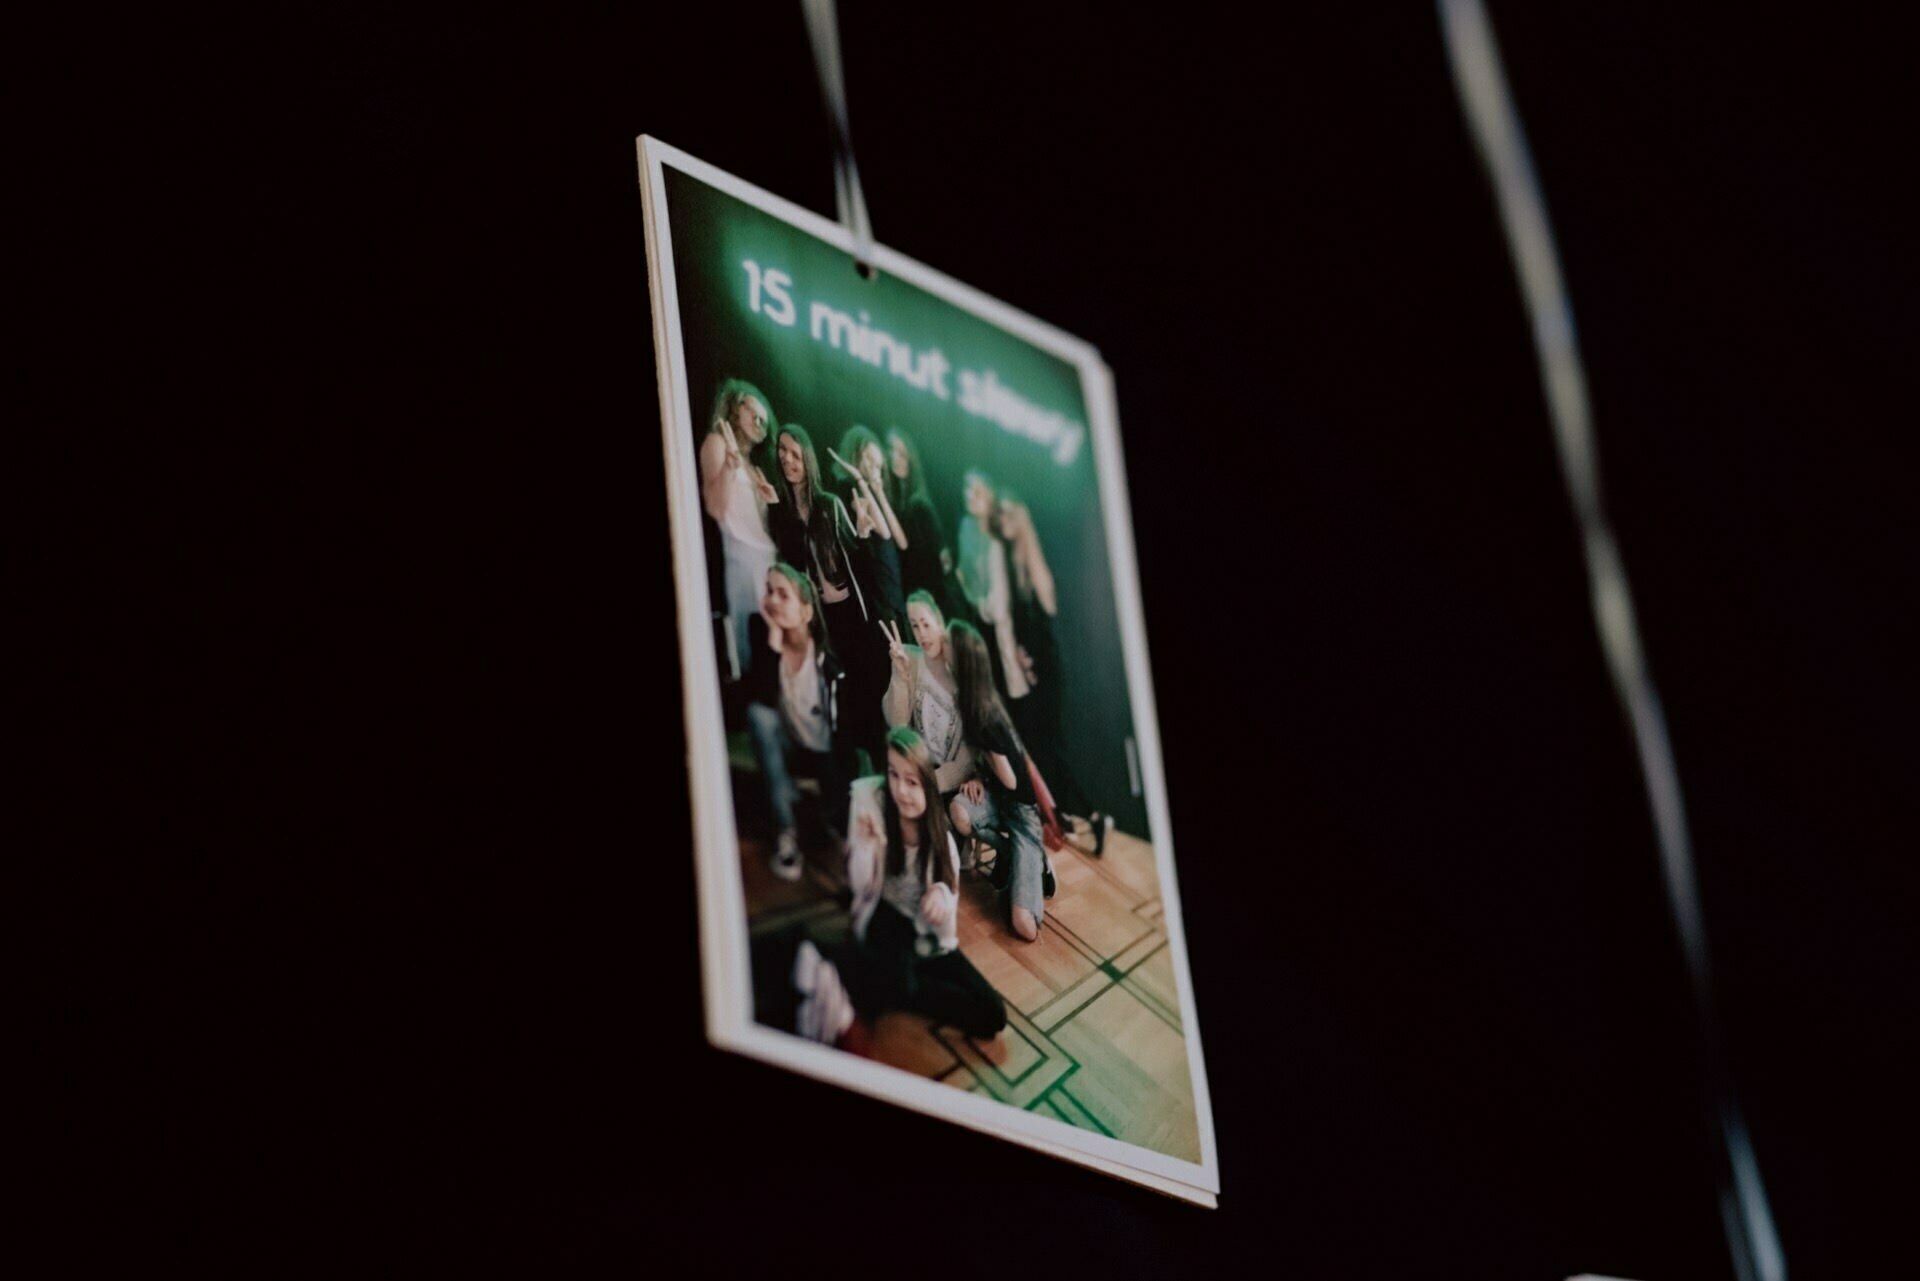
(827, 391)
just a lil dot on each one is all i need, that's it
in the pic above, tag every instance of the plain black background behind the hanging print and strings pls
(393, 690)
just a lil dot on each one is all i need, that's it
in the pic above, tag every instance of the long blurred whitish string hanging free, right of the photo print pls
(1497, 128)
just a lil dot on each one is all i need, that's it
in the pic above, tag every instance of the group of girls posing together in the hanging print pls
(869, 644)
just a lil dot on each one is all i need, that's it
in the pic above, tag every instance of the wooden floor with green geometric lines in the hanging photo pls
(1093, 1034)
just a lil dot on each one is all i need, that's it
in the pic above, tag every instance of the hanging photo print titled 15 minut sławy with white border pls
(928, 808)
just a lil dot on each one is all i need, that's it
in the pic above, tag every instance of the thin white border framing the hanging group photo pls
(723, 904)
